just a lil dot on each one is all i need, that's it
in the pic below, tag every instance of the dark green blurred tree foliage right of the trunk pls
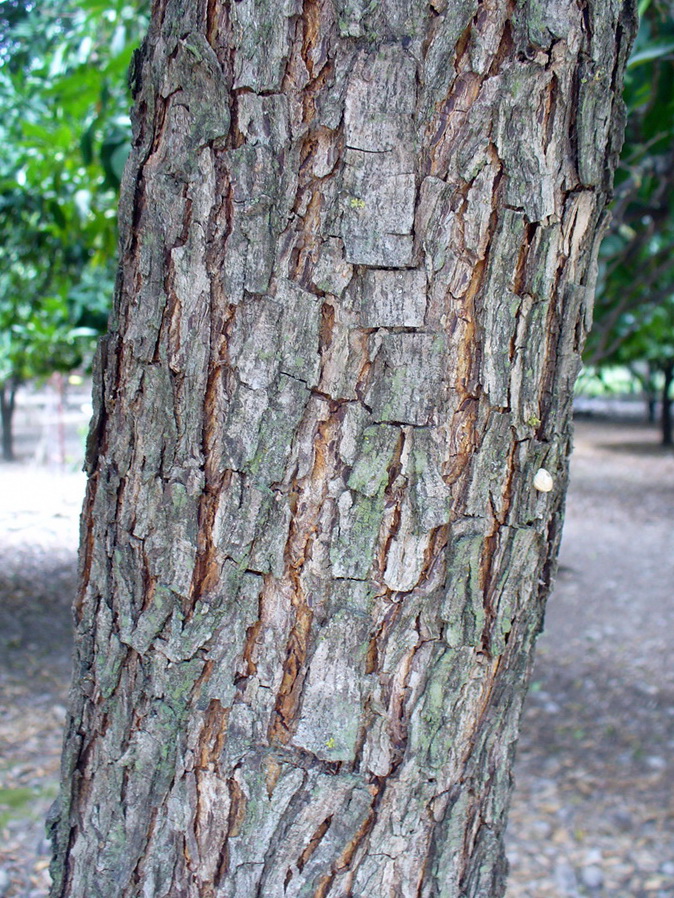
(635, 292)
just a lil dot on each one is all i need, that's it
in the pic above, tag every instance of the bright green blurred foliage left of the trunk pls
(65, 133)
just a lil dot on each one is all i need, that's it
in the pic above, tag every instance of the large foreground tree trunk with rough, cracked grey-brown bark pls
(358, 247)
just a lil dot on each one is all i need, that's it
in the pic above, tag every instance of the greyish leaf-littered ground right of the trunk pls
(593, 810)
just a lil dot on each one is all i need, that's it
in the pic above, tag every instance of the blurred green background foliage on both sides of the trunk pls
(65, 133)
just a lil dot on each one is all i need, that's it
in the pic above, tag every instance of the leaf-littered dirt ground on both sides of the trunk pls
(593, 809)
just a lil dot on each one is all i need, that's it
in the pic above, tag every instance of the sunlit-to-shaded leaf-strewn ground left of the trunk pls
(38, 543)
